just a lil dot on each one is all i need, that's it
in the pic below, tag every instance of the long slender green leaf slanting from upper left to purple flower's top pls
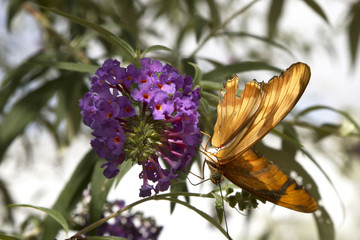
(127, 51)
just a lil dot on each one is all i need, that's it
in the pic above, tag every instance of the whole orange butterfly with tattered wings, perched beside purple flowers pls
(245, 120)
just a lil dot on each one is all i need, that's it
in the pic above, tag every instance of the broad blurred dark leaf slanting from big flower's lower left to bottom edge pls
(72, 193)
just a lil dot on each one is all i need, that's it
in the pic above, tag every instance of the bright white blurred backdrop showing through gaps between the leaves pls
(332, 83)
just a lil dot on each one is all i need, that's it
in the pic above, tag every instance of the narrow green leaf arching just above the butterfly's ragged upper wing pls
(221, 73)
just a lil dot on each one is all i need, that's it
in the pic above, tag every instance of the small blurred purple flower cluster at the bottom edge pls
(131, 226)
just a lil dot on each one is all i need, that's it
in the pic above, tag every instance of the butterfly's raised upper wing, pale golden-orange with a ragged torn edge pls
(246, 120)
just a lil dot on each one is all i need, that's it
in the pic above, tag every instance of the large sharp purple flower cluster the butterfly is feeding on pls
(145, 115)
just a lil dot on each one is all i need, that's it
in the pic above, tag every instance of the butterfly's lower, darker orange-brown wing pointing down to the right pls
(256, 174)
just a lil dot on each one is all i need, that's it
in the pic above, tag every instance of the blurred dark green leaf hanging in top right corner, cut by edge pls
(354, 30)
